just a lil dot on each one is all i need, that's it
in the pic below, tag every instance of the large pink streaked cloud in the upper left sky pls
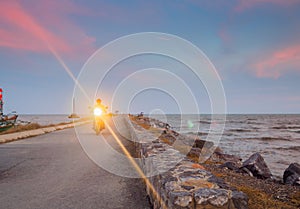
(20, 29)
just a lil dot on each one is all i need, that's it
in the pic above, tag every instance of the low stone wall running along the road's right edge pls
(177, 180)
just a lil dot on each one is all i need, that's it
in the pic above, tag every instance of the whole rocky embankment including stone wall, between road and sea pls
(222, 181)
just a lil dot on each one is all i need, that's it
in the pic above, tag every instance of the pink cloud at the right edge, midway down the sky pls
(279, 63)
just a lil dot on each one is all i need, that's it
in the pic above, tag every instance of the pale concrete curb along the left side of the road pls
(30, 133)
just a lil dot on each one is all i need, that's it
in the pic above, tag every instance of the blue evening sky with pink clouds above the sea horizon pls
(254, 46)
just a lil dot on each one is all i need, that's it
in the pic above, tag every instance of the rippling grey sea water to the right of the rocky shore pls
(275, 137)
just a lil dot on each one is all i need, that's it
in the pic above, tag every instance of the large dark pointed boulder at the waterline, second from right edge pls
(257, 166)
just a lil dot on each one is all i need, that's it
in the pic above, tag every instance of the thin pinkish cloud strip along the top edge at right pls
(247, 4)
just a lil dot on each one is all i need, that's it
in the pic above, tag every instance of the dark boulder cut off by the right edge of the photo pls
(291, 175)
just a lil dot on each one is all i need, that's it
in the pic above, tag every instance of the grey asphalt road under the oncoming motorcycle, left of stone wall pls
(53, 171)
